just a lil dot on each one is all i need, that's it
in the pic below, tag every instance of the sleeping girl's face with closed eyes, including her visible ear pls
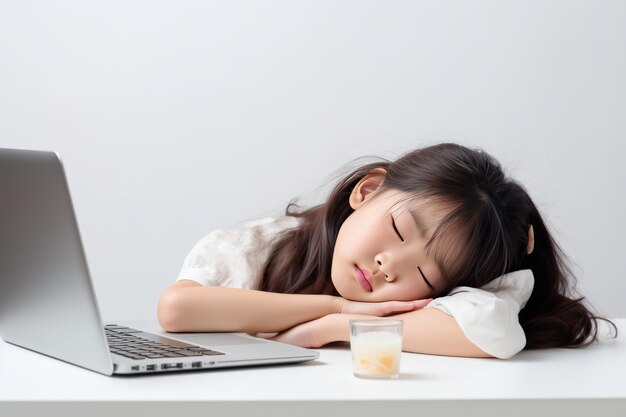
(380, 252)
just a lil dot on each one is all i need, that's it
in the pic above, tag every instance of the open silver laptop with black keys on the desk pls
(47, 299)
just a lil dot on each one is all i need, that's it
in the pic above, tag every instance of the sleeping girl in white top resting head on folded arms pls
(439, 238)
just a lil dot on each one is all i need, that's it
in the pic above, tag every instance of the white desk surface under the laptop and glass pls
(562, 382)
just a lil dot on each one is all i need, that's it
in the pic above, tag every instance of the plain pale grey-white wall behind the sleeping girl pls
(178, 117)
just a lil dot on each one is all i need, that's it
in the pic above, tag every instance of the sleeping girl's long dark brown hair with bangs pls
(488, 211)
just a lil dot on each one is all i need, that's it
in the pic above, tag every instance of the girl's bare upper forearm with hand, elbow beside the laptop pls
(190, 307)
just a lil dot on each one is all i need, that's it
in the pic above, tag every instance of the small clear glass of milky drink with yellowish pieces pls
(376, 346)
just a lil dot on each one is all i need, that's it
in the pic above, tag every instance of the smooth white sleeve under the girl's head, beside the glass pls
(489, 316)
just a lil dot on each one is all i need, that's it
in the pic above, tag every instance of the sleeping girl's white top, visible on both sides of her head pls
(488, 316)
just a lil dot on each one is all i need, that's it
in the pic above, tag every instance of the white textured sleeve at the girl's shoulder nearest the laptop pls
(234, 257)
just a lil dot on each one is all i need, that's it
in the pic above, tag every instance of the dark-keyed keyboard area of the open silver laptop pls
(136, 344)
